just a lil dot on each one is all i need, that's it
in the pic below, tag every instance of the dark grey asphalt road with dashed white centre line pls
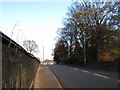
(81, 77)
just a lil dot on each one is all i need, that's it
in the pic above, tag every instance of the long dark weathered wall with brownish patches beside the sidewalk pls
(18, 66)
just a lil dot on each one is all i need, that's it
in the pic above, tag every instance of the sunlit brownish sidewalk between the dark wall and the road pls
(45, 79)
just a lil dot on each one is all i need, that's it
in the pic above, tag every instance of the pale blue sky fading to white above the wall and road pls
(38, 21)
